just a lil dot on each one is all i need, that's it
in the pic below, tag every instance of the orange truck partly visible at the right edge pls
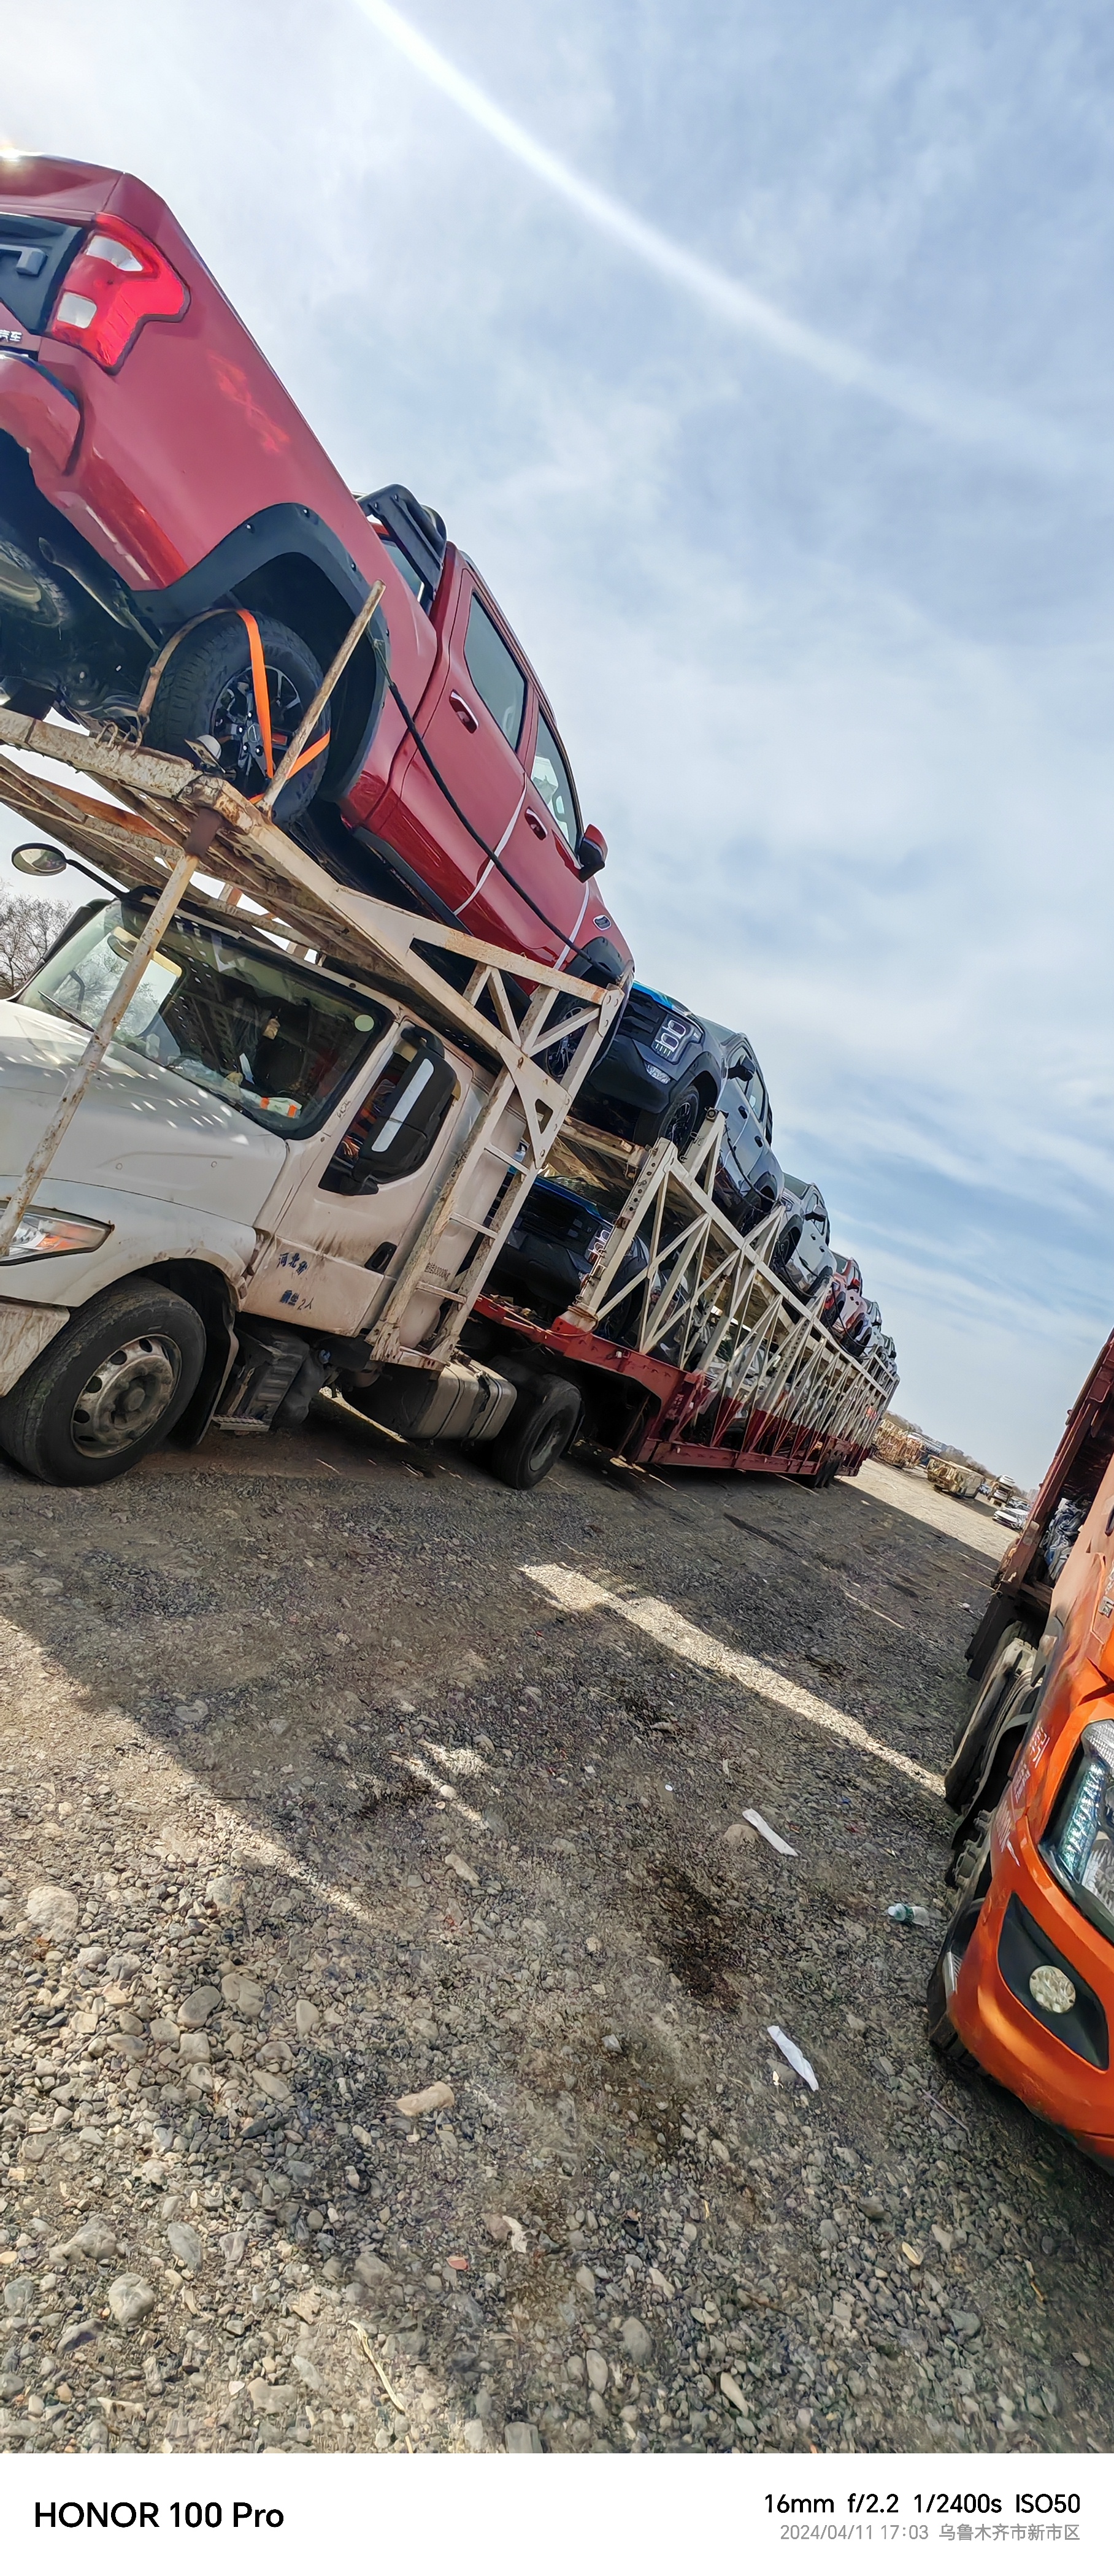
(1025, 1980)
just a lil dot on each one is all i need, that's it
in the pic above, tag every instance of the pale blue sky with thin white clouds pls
(762, 359)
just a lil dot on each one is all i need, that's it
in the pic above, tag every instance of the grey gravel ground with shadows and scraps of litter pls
(321, 1804)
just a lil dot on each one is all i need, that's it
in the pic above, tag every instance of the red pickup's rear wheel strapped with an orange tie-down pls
(208, 689)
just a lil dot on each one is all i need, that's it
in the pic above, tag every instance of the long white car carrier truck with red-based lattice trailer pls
(264, 1135)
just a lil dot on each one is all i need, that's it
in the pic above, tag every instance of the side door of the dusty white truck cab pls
(362, 1191)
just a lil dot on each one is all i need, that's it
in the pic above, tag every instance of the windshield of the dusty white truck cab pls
(246, 1024)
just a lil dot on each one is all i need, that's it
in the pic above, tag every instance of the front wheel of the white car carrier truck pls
(107, 1390)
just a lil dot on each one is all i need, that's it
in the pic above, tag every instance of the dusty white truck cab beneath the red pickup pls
(233, 1199)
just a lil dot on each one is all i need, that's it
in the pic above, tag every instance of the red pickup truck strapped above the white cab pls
(179, 555)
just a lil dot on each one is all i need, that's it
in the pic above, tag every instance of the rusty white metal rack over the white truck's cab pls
(166, 815)
